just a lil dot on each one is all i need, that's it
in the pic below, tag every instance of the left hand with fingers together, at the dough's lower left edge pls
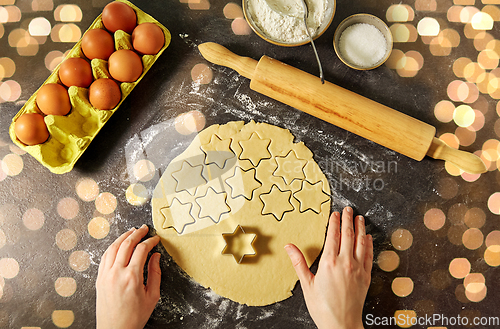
(123, 301)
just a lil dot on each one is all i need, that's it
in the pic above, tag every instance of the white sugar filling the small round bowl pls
(362, 44)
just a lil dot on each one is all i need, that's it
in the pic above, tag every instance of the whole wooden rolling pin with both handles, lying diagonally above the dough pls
(343, 108)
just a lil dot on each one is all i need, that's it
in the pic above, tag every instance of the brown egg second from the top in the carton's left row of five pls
(98, 43)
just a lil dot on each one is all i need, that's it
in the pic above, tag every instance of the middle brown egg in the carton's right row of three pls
(125, 65)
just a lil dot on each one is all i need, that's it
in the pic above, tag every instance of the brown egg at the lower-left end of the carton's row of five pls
(31, 129)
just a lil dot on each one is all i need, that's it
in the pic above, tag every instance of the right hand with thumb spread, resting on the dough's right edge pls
(335, 295)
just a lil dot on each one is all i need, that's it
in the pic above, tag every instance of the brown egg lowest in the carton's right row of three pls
(104, 94)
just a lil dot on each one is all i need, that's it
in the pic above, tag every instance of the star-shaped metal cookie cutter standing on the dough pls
(239, 244)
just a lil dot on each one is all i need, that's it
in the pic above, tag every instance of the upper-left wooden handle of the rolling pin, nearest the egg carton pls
(220, 55)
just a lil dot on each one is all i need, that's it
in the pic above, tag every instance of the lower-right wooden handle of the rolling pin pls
(468, 162)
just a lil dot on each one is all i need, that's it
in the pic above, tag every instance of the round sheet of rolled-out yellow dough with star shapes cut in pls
(253, 176)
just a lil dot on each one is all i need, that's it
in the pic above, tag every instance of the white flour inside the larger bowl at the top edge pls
(287, 28)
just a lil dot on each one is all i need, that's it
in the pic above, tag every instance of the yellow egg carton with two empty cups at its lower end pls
(70, 135)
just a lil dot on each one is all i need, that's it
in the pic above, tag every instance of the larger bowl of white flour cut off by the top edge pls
(288, 30)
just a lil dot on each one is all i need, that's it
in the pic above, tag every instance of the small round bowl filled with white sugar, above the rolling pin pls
(363, 41)
